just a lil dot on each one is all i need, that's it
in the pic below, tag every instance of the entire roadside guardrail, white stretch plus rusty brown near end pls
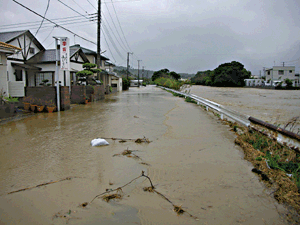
(281, 135)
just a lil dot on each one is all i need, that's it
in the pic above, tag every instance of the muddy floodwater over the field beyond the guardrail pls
(273, 106)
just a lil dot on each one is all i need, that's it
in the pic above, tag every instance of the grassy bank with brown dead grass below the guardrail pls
(277, 166)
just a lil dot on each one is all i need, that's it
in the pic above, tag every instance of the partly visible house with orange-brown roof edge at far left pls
(5, 50)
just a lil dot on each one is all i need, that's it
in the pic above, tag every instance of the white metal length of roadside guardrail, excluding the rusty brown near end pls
(222, 110)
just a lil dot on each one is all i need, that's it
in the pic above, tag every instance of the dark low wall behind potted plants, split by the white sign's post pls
(49, 93)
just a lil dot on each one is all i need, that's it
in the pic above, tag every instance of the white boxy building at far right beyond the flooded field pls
(280, 73)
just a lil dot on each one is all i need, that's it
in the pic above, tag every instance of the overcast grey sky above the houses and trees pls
(181, 35)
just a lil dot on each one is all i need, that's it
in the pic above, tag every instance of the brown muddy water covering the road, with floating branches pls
(192, 161)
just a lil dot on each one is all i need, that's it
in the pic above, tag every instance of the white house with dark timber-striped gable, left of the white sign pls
(17, 69)
